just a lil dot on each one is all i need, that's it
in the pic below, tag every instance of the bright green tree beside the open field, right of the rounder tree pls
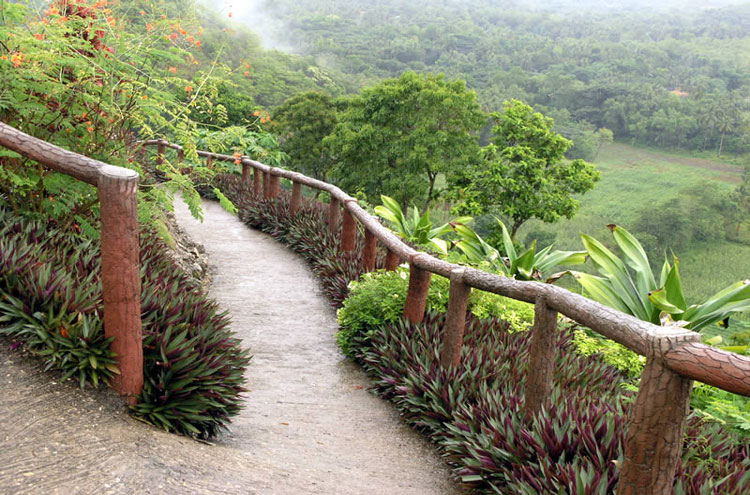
(523, 174)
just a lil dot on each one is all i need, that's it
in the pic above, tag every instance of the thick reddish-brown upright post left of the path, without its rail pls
(121, 279)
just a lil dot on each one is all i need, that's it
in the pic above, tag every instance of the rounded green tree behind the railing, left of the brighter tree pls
(396, 137)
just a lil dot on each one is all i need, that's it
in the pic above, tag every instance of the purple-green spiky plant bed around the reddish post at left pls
(50, 300)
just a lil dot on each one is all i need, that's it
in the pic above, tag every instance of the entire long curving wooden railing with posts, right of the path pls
(675, 356)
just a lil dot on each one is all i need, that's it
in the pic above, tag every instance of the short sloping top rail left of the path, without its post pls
(70, 163)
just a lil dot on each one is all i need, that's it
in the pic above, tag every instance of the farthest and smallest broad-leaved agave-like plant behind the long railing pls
(415, 228)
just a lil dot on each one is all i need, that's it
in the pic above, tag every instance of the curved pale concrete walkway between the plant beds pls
(309, 426)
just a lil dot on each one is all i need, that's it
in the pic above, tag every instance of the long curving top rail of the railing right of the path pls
(681, 349)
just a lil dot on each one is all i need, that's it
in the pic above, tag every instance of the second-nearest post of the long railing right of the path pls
(541, 358)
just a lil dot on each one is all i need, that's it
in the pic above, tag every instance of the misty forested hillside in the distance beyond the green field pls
(675, 78)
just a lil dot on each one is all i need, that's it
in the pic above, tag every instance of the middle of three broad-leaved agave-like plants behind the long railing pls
(529, 265)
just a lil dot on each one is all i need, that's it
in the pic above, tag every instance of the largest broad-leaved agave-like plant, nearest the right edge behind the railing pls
(630, 286)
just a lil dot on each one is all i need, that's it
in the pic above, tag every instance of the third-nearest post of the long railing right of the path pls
(455, 321)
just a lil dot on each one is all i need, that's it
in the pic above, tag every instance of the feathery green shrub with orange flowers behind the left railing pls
(93, 79)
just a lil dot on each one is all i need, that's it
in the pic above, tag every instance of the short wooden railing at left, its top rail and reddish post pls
(121, 283)
